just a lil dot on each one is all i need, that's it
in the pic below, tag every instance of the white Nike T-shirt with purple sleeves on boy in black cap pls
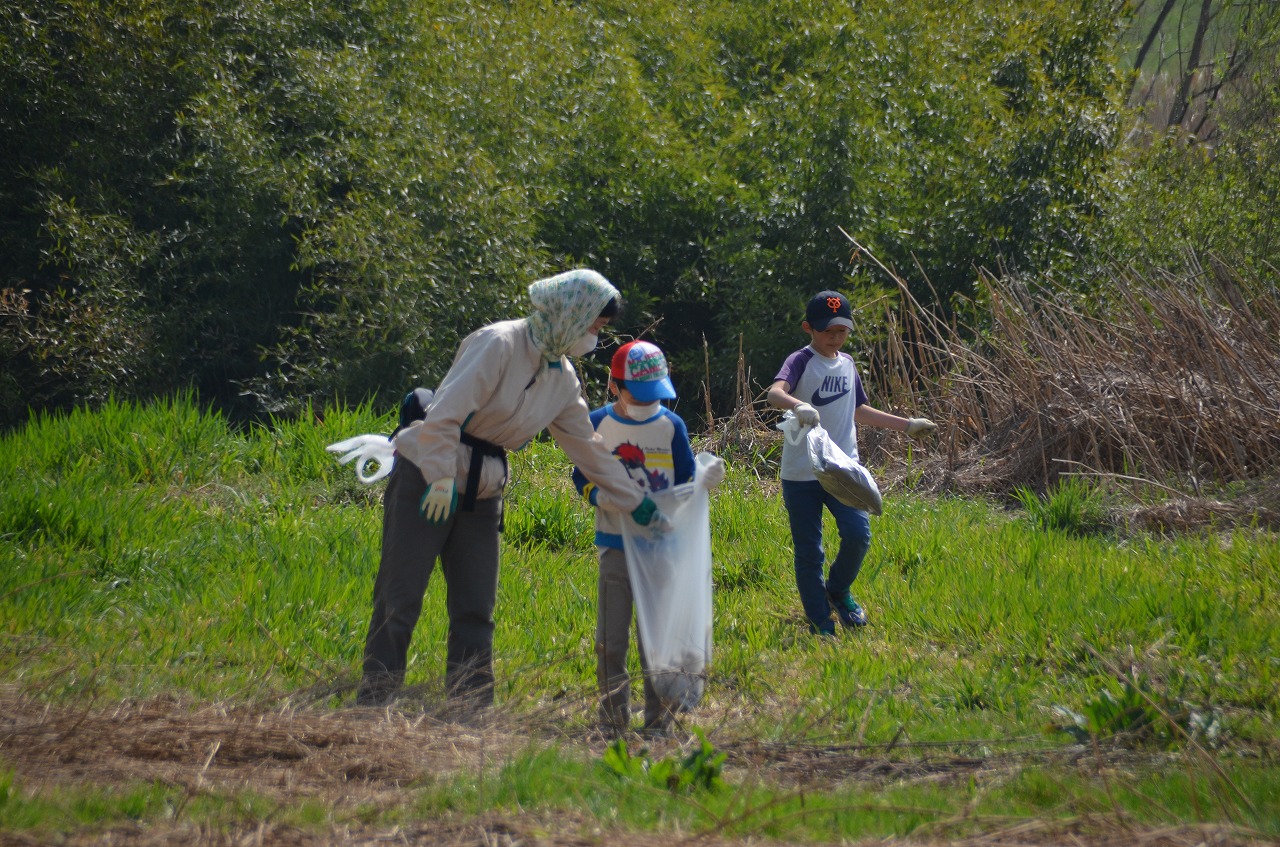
(833, 387)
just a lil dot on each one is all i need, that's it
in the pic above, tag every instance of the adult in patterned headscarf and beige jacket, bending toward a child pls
(509, 382)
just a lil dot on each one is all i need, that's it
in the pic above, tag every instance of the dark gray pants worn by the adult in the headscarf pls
(468, 550)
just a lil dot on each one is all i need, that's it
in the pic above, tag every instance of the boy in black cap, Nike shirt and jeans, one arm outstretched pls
(822, 388)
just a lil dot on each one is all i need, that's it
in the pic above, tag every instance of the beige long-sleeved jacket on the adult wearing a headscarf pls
(501, 390)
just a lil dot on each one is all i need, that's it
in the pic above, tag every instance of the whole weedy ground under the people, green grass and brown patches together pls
(184, 607)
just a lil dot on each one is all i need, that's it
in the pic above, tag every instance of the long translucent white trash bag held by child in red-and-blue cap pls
(671, 582)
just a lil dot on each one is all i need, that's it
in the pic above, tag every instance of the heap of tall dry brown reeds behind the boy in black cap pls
(1169, 388)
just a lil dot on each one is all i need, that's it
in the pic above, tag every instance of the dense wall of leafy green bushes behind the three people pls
(276, 203)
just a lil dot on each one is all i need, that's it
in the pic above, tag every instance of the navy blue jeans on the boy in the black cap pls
(806, 502)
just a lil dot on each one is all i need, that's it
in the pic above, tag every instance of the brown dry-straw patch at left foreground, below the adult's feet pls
(346, 758)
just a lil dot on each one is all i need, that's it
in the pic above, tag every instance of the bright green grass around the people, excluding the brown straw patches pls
(153, 551)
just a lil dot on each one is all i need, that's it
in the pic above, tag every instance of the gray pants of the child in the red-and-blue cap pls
(612, 640)
